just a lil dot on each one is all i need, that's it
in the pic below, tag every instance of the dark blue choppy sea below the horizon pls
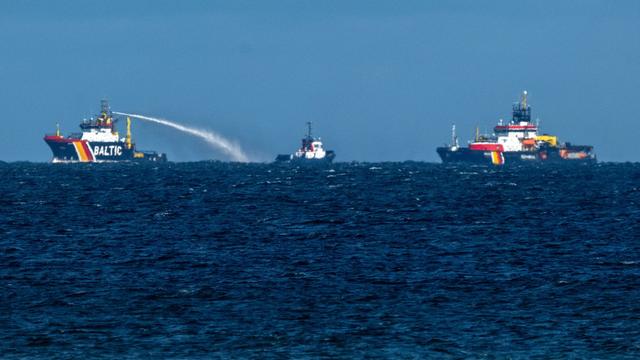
(387, 260)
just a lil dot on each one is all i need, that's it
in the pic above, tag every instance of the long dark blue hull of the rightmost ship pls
(575, 155)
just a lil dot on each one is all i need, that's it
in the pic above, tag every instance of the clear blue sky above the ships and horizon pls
(380, 80)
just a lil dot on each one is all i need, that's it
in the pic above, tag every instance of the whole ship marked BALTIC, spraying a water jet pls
(99, 141)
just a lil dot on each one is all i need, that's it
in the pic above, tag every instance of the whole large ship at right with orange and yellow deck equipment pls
(515, 142)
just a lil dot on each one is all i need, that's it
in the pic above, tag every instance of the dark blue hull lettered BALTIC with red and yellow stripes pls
(67, 150)
